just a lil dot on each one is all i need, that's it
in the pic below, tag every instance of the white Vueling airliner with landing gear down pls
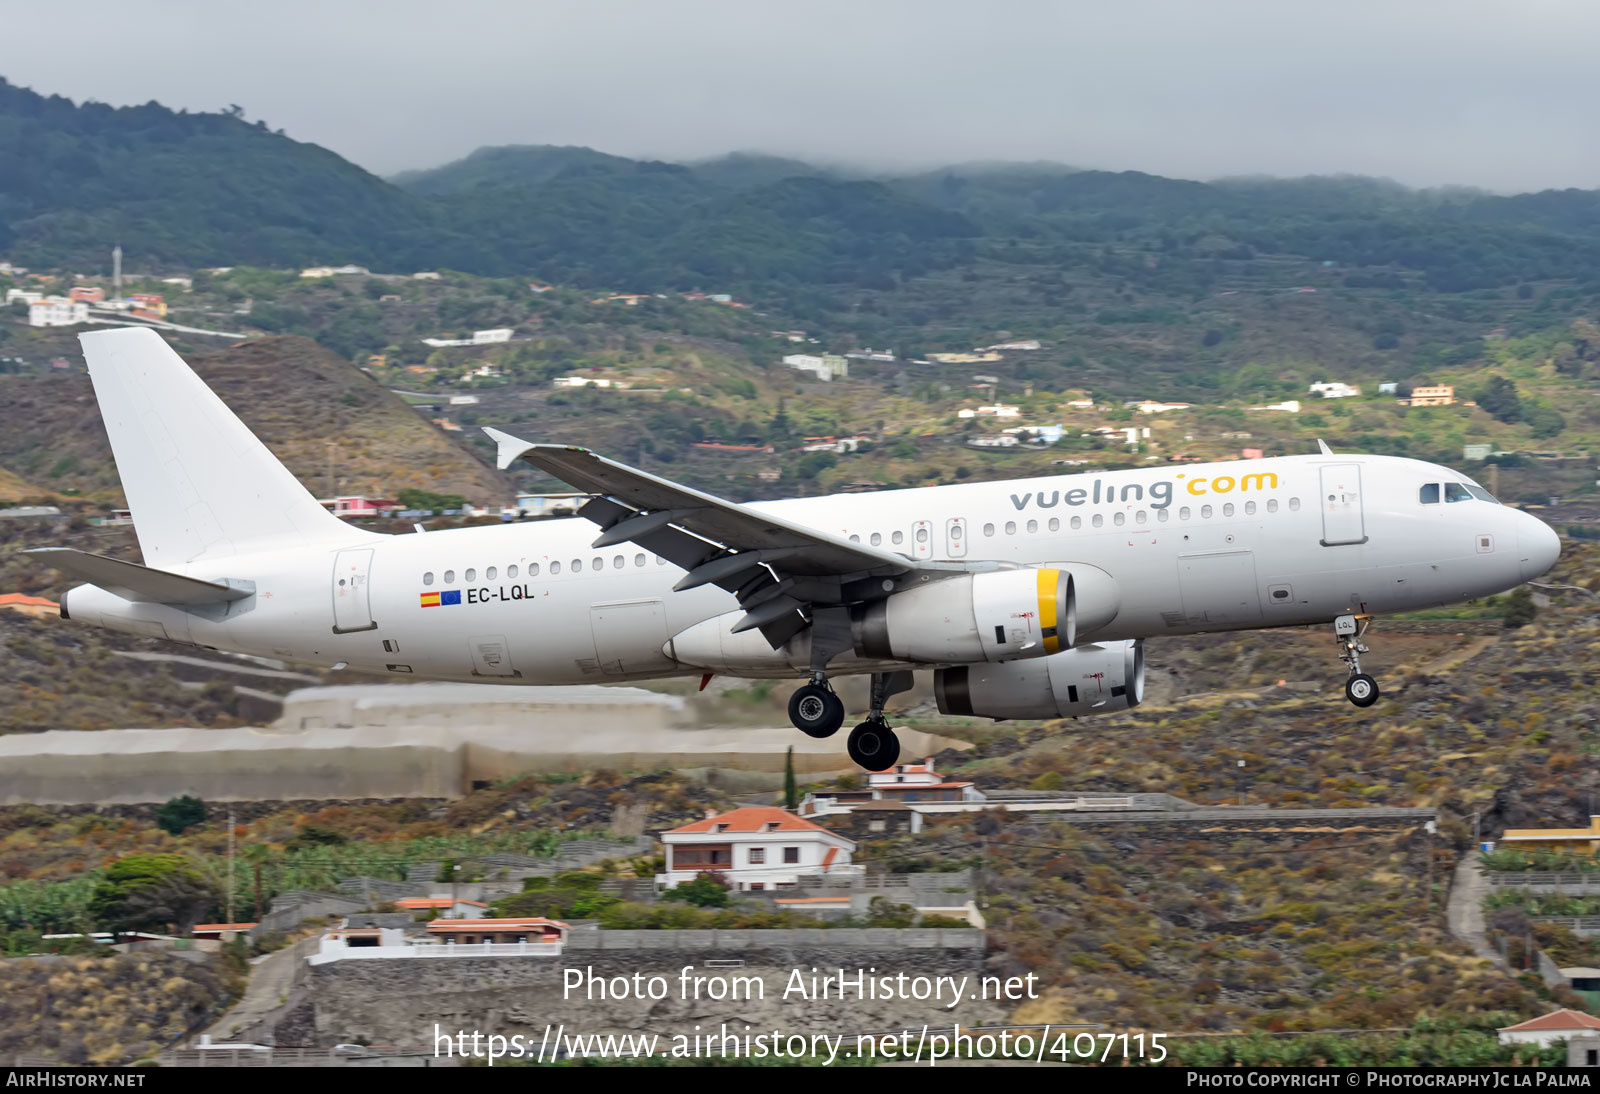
(1028, 599)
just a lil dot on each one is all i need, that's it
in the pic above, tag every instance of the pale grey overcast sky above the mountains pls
(1494, 94)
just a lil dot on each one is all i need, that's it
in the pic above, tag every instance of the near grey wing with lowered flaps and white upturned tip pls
(780, 570)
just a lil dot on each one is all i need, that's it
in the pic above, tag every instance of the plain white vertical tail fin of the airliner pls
(199, 482)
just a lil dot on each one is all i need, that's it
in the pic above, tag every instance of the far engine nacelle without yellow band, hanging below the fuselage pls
(1095, 679)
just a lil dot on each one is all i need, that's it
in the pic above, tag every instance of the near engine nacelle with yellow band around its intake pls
(991, 617)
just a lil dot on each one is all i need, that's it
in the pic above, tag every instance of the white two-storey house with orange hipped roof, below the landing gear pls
(756, 848)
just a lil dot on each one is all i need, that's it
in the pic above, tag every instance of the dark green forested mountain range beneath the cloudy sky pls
(199, 190)
